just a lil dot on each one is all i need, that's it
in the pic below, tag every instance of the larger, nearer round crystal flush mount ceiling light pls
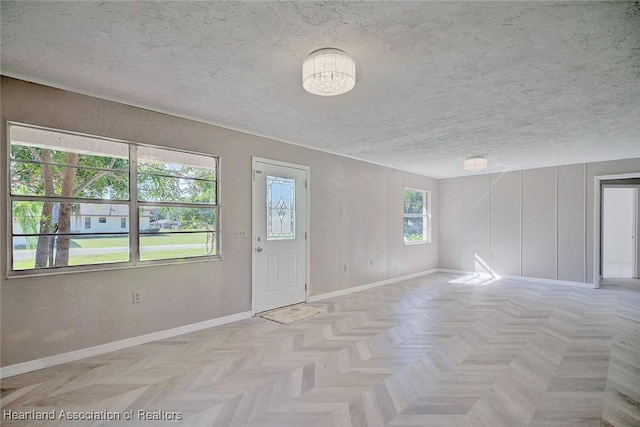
(328, 72)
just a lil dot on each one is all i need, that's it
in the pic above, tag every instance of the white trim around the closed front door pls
(307, 219)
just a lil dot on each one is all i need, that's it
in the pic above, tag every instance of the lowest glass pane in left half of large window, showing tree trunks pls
(36, 252)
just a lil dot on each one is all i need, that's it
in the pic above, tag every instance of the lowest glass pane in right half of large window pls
(167, 245)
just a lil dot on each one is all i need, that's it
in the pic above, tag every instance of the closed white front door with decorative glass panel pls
(279, 234)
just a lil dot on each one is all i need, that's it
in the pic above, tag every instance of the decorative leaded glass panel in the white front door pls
(281, 208)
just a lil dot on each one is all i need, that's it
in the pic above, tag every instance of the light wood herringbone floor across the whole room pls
(439, 350)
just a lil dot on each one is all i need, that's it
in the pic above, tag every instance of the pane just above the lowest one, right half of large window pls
(168, 219)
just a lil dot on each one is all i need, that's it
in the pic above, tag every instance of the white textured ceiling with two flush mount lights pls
(528, 84)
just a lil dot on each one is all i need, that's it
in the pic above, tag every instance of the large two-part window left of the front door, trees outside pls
(78, 200)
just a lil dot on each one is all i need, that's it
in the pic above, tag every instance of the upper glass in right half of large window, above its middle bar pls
(174, 176)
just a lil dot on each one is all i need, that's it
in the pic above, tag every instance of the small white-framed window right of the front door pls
(417, 216)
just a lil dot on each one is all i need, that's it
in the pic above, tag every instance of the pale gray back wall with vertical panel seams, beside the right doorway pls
(537, 223)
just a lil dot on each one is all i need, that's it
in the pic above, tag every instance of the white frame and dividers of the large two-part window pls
(133, 231)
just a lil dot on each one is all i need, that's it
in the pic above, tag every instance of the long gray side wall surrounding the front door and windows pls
(356, 217)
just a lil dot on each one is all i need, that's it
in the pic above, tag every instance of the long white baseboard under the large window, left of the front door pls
(58, 359)
